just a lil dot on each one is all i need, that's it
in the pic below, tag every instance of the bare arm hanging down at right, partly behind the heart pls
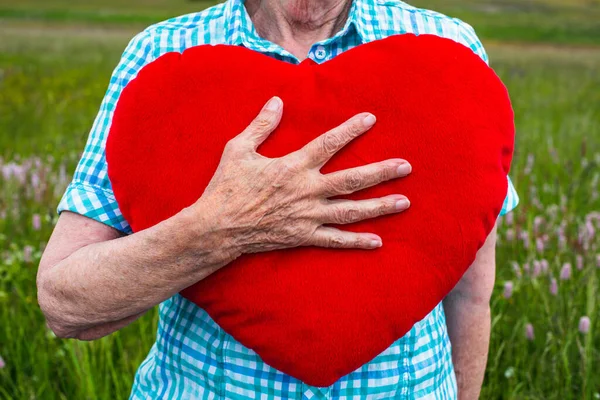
(468, 317)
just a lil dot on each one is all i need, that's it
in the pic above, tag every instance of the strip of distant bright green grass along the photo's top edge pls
(542, 21)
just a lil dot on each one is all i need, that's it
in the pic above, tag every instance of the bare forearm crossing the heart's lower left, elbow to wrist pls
(113, 282)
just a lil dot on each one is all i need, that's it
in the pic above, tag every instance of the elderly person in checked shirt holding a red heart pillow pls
(96, 277)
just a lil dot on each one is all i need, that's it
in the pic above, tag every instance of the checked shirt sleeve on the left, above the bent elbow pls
(90, 192)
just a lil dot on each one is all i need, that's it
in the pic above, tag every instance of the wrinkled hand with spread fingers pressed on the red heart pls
(266, 203)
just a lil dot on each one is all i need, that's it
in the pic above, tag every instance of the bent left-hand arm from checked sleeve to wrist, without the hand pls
(92, 280)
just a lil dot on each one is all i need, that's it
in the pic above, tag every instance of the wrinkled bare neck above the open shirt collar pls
(296, 25)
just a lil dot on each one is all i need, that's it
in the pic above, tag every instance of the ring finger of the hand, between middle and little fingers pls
(348, 211)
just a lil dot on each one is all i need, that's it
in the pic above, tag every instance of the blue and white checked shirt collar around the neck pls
(362, 20)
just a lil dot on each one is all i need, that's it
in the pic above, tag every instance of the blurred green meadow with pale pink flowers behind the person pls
(56, 57)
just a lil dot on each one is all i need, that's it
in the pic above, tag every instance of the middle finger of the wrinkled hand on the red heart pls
(355, 179)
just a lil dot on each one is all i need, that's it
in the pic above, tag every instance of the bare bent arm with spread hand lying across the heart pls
(92, 281)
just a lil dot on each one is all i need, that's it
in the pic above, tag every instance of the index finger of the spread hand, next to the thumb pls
(317, 152)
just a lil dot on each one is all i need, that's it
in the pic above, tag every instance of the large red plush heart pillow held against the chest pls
(314, 313)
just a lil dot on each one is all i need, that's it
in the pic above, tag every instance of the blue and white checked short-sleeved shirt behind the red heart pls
(193, 358)
